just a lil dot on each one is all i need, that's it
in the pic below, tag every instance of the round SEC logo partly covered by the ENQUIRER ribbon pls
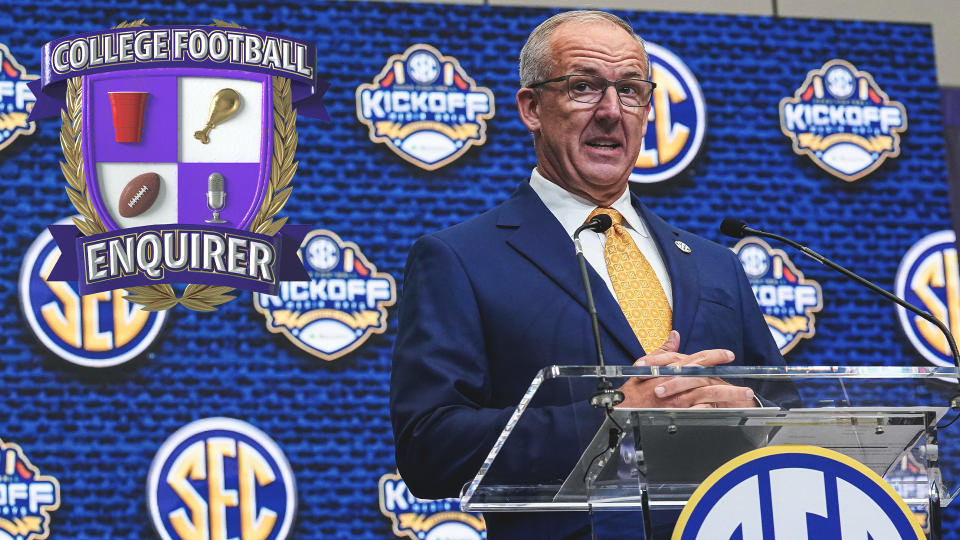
(96, 330)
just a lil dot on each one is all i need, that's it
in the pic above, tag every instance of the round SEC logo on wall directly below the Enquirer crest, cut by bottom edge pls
(221, 478)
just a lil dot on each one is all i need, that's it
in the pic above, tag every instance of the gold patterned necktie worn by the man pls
(638, 290)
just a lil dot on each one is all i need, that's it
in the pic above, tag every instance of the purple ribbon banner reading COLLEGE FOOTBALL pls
(215, 47)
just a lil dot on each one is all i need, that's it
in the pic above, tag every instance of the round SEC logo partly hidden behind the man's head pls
(678, 119)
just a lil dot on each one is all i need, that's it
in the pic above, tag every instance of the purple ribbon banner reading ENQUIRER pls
(178, 254)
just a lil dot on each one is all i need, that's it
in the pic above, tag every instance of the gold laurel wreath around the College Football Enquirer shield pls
(282, 168)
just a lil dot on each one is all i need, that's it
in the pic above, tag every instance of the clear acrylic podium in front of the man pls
(650, 460)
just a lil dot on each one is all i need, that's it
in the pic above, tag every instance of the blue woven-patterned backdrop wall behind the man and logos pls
(97, 431)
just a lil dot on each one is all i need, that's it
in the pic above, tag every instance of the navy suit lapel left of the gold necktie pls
(540, 238)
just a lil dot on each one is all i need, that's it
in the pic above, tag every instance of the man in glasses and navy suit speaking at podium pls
(491, 301)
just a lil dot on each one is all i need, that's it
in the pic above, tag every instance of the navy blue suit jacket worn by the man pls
(489, 302)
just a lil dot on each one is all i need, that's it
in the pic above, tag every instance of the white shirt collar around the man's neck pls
(572, 211)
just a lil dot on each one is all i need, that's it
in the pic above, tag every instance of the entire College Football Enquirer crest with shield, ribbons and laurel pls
(178, 151)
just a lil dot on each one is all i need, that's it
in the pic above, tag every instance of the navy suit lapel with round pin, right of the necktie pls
(680, 265)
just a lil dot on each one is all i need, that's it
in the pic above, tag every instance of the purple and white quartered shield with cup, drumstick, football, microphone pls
(179, 103)
